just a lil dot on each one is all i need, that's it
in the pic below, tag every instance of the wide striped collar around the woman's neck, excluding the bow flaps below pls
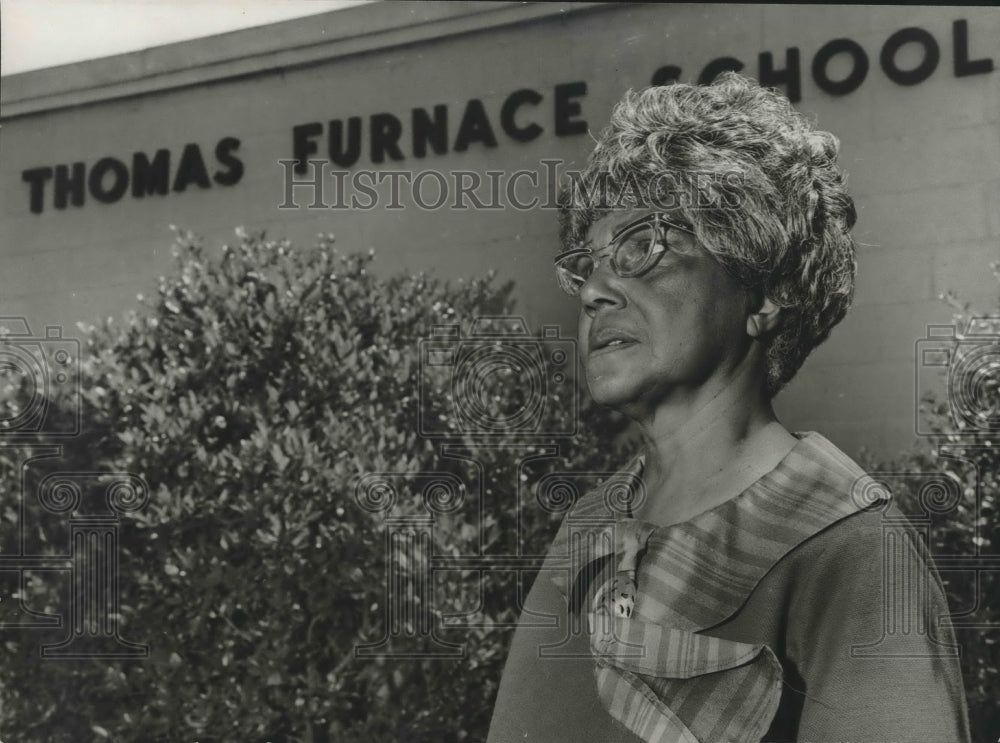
(716, 559)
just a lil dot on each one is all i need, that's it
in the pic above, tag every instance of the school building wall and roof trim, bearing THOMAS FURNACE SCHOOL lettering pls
(923, 158)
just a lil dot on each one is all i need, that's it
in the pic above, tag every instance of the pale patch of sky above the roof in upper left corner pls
(45, 33)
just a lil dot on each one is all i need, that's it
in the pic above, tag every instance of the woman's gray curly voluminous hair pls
(771, 204)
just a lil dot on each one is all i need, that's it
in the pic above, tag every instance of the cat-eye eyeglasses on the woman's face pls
(634, 249)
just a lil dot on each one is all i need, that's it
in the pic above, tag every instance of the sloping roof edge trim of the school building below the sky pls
(286, 44)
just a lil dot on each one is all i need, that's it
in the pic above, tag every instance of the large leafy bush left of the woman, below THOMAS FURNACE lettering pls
(251, 394)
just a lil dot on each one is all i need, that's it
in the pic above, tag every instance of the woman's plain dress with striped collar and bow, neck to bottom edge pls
(764, 618)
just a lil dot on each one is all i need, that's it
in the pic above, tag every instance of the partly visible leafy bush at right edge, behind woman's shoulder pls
(951, 479)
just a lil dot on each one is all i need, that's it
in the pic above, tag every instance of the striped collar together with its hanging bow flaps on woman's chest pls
(691, 577)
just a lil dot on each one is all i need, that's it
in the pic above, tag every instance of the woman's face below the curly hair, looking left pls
(669, 331)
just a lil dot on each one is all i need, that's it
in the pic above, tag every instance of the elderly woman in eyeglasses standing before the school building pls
(734, 582)
